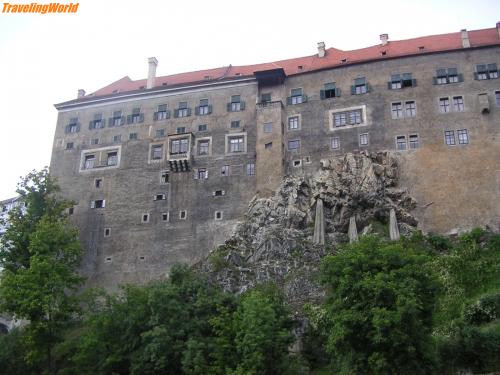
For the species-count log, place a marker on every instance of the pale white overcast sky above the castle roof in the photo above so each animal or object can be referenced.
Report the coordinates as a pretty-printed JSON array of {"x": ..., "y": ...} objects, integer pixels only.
[{"x": 45, "y": 59}]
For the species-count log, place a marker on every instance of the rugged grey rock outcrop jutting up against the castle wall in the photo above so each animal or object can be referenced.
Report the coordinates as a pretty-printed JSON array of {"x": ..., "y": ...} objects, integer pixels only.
[{"x": 280, "y": 238}]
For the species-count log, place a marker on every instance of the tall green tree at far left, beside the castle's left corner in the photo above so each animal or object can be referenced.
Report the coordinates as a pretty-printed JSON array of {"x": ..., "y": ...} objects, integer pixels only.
[{"x": 39, "y": 253}]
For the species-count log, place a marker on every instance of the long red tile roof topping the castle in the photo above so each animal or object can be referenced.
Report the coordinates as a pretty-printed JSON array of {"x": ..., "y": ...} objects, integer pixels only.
[{"x": 334, "y": 57}]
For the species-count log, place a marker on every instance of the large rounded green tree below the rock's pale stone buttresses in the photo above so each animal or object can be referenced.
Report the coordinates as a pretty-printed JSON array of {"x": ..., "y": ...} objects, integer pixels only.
[{"x": 380, "y": 304}]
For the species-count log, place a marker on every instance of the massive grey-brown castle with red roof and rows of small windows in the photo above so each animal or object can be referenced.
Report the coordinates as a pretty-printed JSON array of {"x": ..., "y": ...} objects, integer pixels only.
[{"x": 162, "y": 169}]
